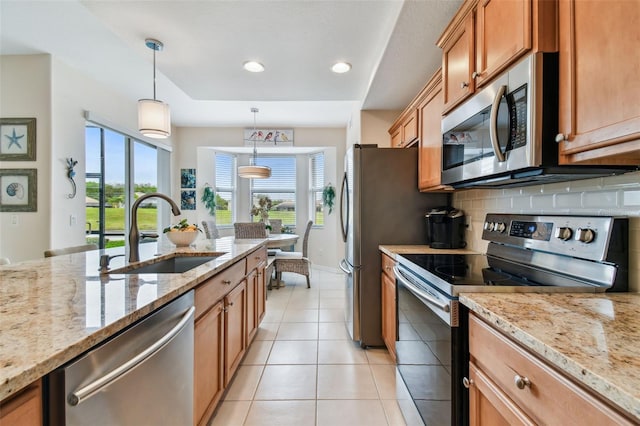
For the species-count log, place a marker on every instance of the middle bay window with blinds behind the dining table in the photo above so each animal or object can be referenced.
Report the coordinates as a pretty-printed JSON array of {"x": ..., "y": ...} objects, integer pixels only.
[{"x": 280, "y": 188}]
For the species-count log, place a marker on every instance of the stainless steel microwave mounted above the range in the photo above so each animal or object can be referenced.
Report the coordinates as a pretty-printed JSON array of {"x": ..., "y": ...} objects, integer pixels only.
[{"x": 504, "y": 135}]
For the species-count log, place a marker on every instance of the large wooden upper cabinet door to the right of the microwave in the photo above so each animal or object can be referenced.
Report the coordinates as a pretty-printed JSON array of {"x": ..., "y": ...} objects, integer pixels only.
[{"x": 599, "y": 84}]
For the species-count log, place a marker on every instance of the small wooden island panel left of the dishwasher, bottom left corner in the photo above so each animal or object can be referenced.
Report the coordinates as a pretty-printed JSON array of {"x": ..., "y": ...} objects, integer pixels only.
[{"x": 24, "y": 408}]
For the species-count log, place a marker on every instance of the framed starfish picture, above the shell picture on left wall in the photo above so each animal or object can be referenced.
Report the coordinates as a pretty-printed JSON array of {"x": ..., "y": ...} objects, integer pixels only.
[{"x": 17, "y": 139}]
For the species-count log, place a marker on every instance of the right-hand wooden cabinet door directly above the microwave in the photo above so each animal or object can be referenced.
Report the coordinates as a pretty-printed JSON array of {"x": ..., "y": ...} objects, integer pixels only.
[{"x": 503, "y": 34}]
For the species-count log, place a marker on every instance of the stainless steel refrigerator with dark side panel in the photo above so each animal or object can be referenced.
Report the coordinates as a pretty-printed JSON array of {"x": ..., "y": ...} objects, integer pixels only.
[{"x": 379, "y": 204}]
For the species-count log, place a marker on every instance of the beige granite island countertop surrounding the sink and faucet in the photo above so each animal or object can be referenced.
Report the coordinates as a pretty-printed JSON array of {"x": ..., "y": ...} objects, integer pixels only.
[{"x": 54, "y": 309}]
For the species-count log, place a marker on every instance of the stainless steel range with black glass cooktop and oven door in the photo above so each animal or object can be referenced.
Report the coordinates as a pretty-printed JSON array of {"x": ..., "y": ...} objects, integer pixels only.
[{"x": 526, "y": 253}]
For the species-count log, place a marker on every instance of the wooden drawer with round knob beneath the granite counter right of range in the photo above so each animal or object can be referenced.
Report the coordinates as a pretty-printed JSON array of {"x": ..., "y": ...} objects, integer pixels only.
[{"x": 549, "y": 397}]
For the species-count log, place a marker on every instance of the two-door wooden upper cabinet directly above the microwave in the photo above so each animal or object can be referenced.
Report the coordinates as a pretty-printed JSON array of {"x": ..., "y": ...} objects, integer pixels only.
[{"x": 487, "y": 36}]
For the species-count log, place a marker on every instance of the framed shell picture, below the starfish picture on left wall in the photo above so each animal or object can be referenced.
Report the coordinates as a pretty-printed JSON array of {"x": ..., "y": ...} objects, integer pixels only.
[{"x": 18, "y": 190}]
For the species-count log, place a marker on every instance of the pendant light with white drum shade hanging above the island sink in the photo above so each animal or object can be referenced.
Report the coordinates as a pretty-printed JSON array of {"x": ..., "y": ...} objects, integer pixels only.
[{"x": 154, "y": 117}]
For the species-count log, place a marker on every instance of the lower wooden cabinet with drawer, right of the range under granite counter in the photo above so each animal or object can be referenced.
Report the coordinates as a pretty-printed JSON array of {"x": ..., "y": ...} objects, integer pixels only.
[{"x": 509, "y": 385}]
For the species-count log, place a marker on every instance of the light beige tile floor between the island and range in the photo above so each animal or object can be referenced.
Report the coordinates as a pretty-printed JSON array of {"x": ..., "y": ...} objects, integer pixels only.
[{"x": 303, "y": 369}]
